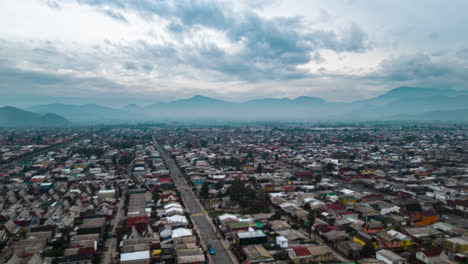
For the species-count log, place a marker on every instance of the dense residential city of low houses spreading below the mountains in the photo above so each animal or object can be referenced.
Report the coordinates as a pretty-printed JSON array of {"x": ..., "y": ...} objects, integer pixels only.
[{"x": 269, "y": 193}]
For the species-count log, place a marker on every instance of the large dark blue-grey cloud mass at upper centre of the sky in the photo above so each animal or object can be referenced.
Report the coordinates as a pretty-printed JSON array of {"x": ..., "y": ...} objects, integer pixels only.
[{"x": 272, "y": 48}]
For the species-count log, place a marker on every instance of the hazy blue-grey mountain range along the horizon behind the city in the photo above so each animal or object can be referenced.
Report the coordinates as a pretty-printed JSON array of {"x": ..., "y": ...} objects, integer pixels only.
[{"x": 404, "y": 103}]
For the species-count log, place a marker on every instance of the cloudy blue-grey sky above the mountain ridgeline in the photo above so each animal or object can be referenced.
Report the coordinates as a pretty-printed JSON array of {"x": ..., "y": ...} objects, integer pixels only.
[{"x": 117, "y": 52}]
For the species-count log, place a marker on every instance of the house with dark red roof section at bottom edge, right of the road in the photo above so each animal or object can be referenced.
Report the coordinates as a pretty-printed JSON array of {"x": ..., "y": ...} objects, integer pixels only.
[{"x": 310, "y": 254}]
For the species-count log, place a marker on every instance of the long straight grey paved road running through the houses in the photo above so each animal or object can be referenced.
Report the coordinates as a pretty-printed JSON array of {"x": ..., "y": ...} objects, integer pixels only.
[{"x": 201, "y": 221}]
